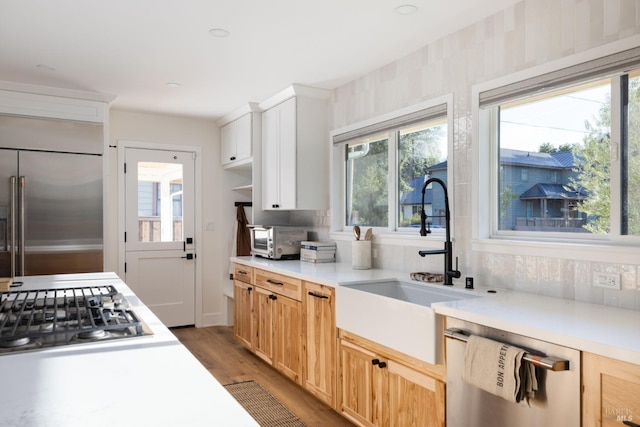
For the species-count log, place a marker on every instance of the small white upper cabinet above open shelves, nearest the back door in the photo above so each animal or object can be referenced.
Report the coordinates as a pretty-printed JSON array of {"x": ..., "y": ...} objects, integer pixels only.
[{"x": 237, "y": 140}]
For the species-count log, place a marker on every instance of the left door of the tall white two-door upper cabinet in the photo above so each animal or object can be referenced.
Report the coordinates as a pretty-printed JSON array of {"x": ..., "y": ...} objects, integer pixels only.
[{"x": 270, "y": 159}]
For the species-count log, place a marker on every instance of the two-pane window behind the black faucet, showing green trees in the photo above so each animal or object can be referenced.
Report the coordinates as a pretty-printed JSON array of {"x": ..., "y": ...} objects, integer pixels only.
[{"x": 384, "y": 168}]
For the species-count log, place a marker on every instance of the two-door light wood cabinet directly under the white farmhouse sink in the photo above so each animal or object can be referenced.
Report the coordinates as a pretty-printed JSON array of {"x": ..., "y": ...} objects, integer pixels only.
[{"x": 377, "y": 390}]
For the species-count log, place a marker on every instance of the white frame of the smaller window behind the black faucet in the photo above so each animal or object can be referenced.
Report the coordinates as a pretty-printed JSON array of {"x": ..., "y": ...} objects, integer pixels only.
[{"x": 339, "y": 226}]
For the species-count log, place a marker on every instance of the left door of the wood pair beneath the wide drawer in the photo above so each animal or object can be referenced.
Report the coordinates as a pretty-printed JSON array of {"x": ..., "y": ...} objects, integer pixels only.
[{"x": 263, "y": 311}]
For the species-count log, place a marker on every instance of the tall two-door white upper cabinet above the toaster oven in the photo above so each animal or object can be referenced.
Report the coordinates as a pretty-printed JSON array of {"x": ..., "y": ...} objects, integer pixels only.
[{"x": 295, "y": 150}]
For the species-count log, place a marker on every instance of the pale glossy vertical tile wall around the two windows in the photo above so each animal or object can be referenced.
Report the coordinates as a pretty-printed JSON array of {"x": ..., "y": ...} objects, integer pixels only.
[{"x": 528, "y": 34}]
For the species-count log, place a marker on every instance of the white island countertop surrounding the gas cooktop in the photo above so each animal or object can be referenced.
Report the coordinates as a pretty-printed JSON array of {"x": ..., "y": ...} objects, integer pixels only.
[{"x": 141, "y": 381}]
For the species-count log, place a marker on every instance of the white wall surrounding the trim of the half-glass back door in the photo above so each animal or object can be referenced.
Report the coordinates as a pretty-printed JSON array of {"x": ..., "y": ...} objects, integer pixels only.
[{"x": 164, "y": 129}]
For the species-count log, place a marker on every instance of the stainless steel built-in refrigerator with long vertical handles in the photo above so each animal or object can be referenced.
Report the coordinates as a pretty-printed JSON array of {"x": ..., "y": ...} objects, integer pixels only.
[{"x": 50, "y": 201}]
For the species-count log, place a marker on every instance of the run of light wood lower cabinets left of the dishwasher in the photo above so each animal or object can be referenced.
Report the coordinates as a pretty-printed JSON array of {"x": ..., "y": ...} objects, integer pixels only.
[{"x": 291, "y": 325}]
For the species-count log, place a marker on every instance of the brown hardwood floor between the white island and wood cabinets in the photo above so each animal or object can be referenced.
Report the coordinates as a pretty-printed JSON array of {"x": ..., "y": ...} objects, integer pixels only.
[{"x": 230, "y": 362}]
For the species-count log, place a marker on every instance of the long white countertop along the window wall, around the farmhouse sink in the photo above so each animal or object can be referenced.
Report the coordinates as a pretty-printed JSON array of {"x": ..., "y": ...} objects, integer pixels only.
[{"x": 607, "y": 331}]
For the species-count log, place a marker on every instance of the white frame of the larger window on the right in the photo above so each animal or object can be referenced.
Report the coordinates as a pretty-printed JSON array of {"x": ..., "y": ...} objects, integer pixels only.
[{"x": 485, "y": 228}]
